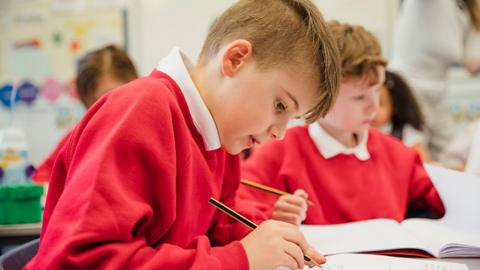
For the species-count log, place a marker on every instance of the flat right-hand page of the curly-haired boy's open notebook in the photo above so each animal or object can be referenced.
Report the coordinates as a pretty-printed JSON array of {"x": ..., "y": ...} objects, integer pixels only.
[{"x": 435, "y": 234}]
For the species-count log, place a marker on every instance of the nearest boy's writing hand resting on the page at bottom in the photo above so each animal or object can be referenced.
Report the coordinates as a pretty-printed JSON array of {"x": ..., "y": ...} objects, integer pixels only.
[{"x": 276, "y": 244}]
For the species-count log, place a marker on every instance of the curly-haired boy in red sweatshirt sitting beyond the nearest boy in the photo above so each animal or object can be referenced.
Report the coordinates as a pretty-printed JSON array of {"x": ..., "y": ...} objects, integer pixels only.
[{"x": 349, "y": 171}]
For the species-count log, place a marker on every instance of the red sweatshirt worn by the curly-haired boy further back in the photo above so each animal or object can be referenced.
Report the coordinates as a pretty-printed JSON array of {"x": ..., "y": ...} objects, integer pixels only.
[{"x": 343, "y": 187}]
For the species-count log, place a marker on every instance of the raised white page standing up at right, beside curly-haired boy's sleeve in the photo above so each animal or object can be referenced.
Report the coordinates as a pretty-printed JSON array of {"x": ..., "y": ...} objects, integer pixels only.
[{"x": 460, "y": 193}]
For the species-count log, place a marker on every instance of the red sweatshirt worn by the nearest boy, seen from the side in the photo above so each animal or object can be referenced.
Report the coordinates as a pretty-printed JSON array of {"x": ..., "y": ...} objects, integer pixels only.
[{"x": 130, "y": 189}]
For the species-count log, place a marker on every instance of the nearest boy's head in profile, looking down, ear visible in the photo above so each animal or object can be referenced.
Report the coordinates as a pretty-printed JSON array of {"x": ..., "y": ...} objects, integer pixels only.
[{"x": 266, "y": 61}]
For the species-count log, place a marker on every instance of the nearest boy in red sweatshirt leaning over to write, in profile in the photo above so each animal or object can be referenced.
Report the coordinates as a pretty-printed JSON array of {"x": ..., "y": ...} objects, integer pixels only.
[{"x": 131, "y": 189}]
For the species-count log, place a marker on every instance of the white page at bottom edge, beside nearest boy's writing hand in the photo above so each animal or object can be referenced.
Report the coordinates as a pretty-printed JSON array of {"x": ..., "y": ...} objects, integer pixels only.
[{"x": 377, "y": 262}]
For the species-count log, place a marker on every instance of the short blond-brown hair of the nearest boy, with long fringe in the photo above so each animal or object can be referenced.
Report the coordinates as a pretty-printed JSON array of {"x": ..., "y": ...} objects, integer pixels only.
[{"x": 282, "y": 33}]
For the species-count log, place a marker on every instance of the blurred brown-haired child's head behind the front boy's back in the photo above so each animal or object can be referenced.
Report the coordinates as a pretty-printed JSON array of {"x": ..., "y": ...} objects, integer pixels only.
[{"x": 102, "y": 70}]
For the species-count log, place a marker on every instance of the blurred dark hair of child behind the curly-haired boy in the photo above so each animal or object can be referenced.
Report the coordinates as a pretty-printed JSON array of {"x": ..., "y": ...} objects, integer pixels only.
[{"x": 405, "y": 107}]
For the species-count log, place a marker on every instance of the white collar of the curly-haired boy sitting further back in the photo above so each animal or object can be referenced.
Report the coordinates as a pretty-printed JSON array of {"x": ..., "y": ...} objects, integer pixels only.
[{"x": 329, "y": 147}]
